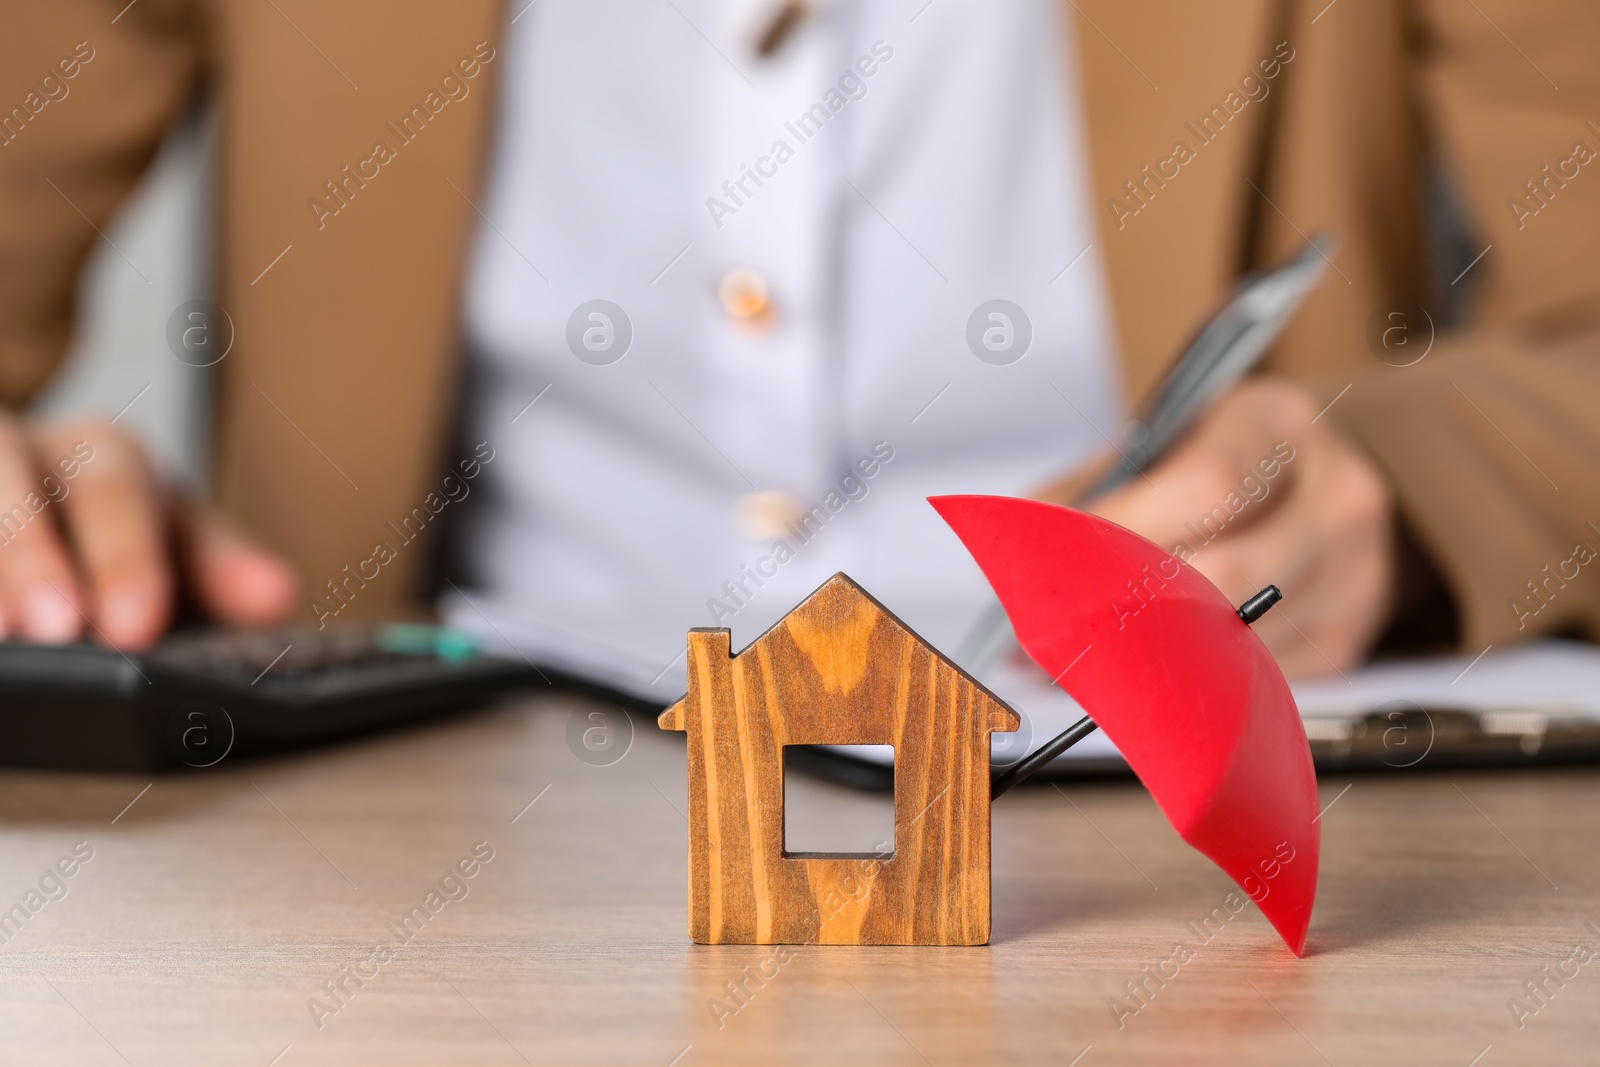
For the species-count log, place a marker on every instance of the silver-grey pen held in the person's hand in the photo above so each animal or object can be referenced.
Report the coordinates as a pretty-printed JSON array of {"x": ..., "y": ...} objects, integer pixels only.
[{"x": 1226, "y": 348}]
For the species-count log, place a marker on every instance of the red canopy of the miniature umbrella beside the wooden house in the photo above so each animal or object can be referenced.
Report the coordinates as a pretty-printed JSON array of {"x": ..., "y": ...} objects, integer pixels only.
[{"x": 1164, "y": 665}]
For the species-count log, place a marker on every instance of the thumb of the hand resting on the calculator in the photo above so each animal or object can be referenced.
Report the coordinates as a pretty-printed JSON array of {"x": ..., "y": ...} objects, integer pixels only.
[{"x": 238, "y": 580}]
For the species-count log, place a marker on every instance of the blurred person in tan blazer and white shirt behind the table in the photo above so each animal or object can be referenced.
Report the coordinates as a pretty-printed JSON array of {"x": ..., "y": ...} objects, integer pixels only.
[{"x": 668, "y": 311}]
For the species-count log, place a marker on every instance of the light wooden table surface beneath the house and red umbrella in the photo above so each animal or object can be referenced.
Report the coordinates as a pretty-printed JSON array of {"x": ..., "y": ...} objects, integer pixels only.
[{"x": 218, "y": 909}]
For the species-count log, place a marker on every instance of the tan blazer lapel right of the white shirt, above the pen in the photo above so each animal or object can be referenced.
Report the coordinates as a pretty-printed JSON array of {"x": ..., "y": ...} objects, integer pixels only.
[{"x": 1150, "y": 74}]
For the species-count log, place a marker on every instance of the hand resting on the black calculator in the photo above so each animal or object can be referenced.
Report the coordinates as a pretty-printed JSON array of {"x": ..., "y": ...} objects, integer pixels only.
[{"x": 94, "y": 543}]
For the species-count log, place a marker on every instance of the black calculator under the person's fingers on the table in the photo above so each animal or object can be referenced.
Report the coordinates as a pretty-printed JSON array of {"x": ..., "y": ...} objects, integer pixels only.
[{"x": 206, "y": 697}]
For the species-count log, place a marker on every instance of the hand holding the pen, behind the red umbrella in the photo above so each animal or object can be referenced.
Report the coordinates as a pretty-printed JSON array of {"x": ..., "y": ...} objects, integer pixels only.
[{"x": 1257, "y": 495}]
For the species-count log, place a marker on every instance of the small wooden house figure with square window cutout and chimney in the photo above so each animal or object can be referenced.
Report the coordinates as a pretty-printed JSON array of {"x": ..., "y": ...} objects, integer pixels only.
[{"x": 839, "y": 669}]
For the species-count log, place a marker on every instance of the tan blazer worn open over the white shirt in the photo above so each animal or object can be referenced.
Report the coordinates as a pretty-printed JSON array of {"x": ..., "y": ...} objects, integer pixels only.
[{"x": 351, "y": 326}]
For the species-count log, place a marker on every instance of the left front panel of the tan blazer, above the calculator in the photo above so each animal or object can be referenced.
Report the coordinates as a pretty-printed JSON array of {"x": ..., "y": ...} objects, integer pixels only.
[{"x": 354, "y": 140}]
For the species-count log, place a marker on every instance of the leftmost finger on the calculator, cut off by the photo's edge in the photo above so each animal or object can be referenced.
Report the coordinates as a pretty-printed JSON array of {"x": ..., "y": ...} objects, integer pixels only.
[{"x": 41, "y": 599}]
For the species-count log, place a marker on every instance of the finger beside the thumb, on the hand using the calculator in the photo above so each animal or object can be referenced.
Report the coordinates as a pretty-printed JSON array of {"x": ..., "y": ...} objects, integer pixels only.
[{"x": 116, "y": 526}]
